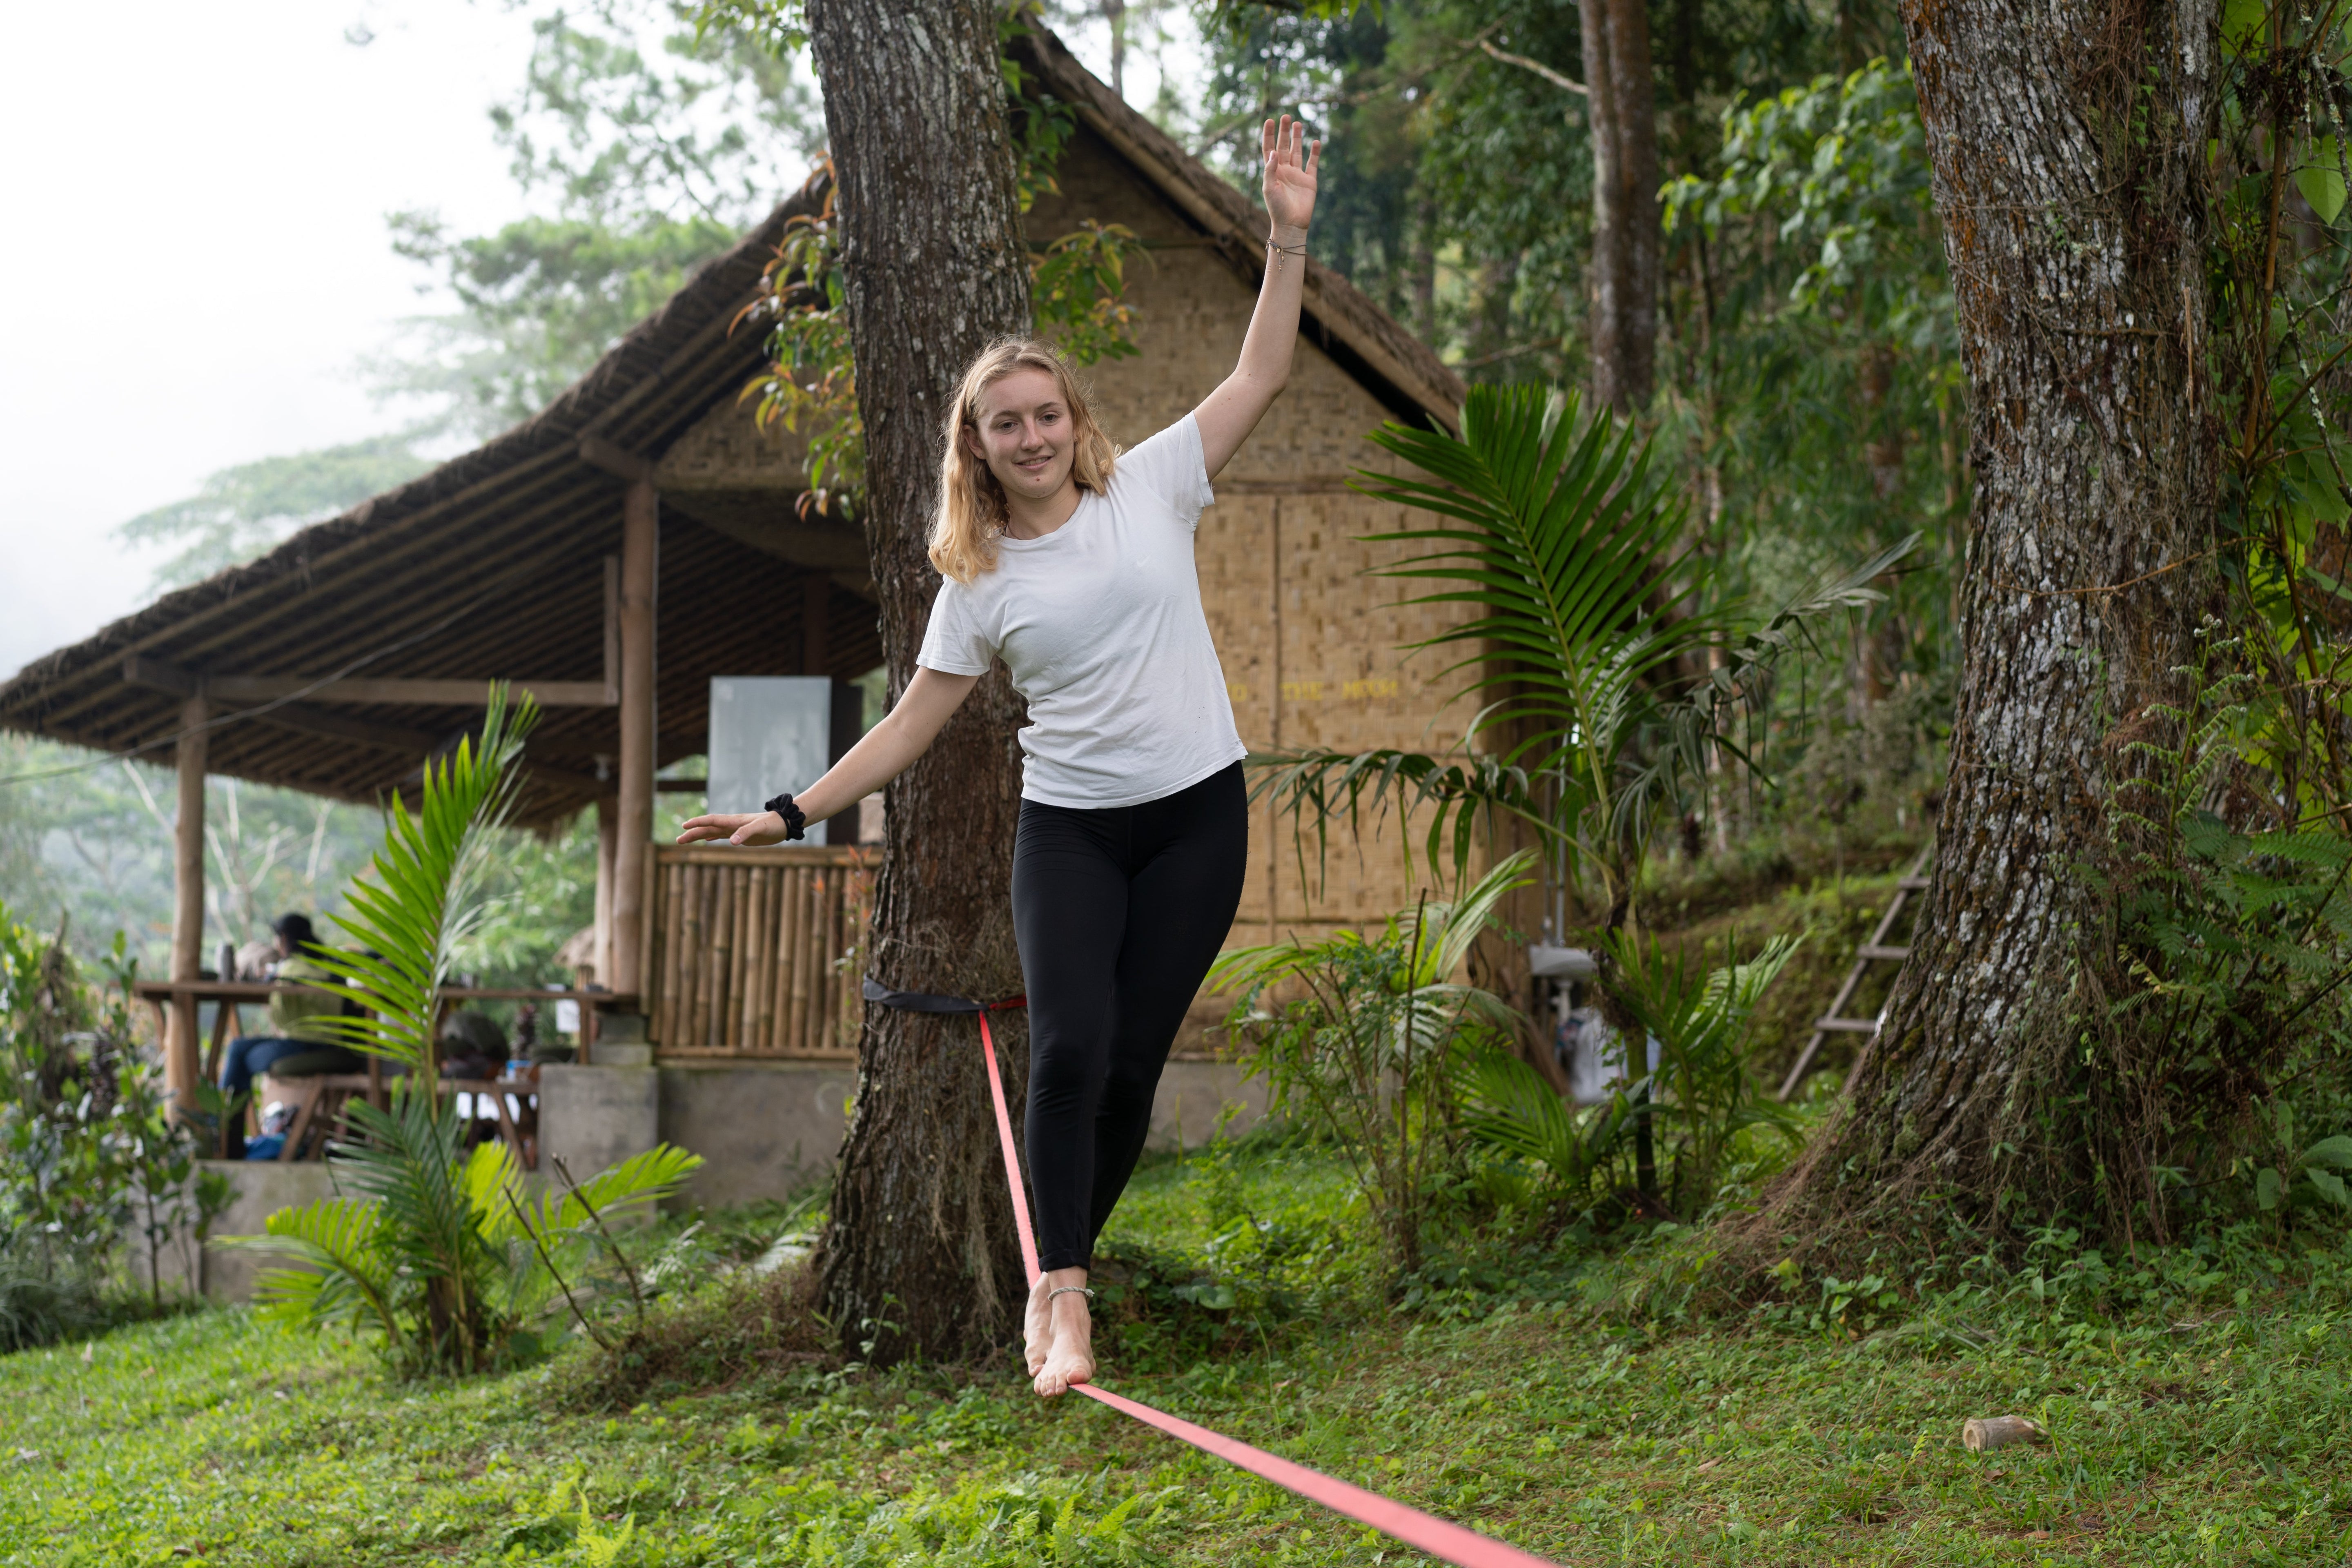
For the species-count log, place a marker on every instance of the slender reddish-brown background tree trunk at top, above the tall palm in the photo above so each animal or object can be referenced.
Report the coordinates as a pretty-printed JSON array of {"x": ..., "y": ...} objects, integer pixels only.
[{"x": 1626, "y": 236}]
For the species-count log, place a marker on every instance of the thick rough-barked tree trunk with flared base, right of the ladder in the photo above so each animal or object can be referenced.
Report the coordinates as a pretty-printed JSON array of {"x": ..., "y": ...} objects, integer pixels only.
[{"x": 2076, "y": 215}]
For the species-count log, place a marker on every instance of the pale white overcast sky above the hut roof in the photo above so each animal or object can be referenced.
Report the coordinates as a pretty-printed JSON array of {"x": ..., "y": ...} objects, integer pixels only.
[{"x": 199, "y": 253}]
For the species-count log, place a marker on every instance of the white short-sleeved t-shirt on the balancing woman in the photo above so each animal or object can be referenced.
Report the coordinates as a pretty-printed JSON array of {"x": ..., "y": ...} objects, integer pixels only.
[{"x": 1102, "y": 629}]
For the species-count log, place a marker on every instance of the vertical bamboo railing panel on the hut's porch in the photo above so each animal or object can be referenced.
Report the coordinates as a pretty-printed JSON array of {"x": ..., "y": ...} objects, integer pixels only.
[{"x": 747, "y": 951}]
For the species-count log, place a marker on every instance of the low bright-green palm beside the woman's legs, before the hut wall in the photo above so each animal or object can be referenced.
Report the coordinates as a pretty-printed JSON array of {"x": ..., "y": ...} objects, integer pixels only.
[{"x": 1365, "y": 1043}]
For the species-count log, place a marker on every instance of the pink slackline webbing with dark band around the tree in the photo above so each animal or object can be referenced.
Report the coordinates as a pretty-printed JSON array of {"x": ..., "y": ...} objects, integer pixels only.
[{"x": 1436, "y": 1536}]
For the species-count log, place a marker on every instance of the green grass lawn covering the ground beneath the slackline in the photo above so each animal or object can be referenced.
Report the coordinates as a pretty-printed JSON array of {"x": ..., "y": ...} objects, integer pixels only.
[{"x": 2200, "y": 1414}]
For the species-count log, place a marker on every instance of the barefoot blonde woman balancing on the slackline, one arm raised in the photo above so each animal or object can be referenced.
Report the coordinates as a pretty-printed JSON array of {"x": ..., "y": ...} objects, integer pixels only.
[{"x": 1074, "y": 565}]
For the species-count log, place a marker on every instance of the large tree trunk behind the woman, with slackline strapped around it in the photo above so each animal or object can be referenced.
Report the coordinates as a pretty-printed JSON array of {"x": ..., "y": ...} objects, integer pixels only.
[{"x": 921, "y": 1252}]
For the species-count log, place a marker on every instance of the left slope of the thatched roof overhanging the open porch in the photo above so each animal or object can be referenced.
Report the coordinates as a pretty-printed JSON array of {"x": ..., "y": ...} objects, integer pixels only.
[{"x": 488, "y": 565}]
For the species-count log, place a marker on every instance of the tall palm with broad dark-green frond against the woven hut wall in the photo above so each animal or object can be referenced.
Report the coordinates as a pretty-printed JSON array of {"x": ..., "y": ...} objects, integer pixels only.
[{"x": 1579, "y": 648}]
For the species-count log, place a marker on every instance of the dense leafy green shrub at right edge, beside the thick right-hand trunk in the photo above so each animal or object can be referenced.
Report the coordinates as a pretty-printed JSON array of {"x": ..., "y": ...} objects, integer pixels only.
[{"x": 2214, "y": 1028}]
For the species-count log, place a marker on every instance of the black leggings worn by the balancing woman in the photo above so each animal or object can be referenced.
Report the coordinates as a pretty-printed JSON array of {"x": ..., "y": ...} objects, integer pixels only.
[{"x": 1118, "y": 916}]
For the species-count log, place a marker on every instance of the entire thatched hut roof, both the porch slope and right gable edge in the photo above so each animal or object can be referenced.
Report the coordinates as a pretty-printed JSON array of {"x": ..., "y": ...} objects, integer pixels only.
[{"x": 493, "y": 565}]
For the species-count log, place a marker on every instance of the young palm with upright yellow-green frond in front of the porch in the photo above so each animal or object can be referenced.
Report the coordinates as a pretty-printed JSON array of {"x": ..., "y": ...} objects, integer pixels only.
[{"x": 439, "y": 1252}]
